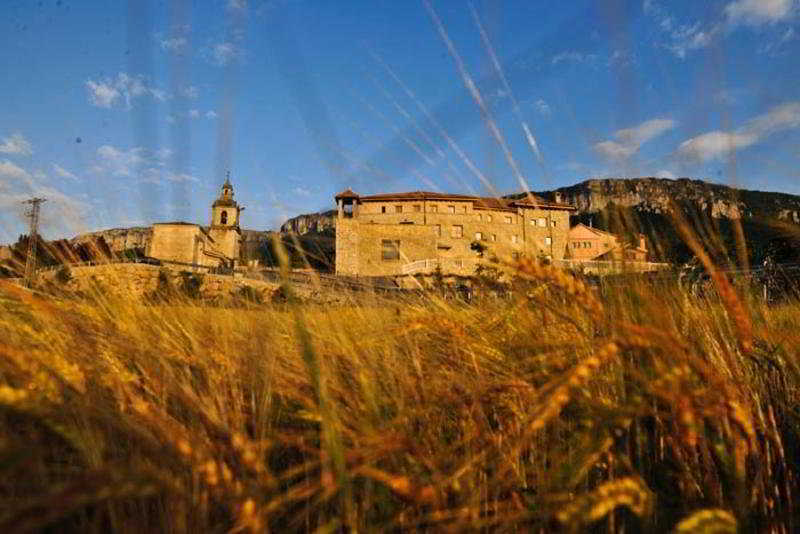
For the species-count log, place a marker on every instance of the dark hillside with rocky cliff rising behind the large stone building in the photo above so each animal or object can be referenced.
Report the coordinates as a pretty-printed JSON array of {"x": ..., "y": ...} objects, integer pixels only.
[{"x": 625, "y": 205}]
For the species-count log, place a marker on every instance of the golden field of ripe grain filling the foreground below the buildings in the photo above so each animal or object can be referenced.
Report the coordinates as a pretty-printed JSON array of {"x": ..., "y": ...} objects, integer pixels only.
[{"x": 639, "y": 409}]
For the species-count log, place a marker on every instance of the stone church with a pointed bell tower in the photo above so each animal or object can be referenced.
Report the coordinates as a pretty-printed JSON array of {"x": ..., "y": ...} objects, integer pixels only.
[{"x": 215, "y": 246}]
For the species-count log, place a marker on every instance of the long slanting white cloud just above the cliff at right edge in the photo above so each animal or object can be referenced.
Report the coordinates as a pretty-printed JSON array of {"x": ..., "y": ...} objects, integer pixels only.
[{"x": 719, "y": 144}]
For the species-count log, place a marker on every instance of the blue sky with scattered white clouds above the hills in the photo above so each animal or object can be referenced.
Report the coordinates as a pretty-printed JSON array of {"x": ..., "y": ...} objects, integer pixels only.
[{"x": 128, "y": 113}]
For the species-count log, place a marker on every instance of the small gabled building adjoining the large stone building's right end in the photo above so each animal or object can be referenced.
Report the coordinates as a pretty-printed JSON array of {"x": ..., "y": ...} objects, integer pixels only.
[{"x": 587, "y": 244}]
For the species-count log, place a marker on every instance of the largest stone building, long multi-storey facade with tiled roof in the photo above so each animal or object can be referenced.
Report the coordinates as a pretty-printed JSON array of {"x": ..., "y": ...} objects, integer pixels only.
[{"x": 416, "y": 232}]
